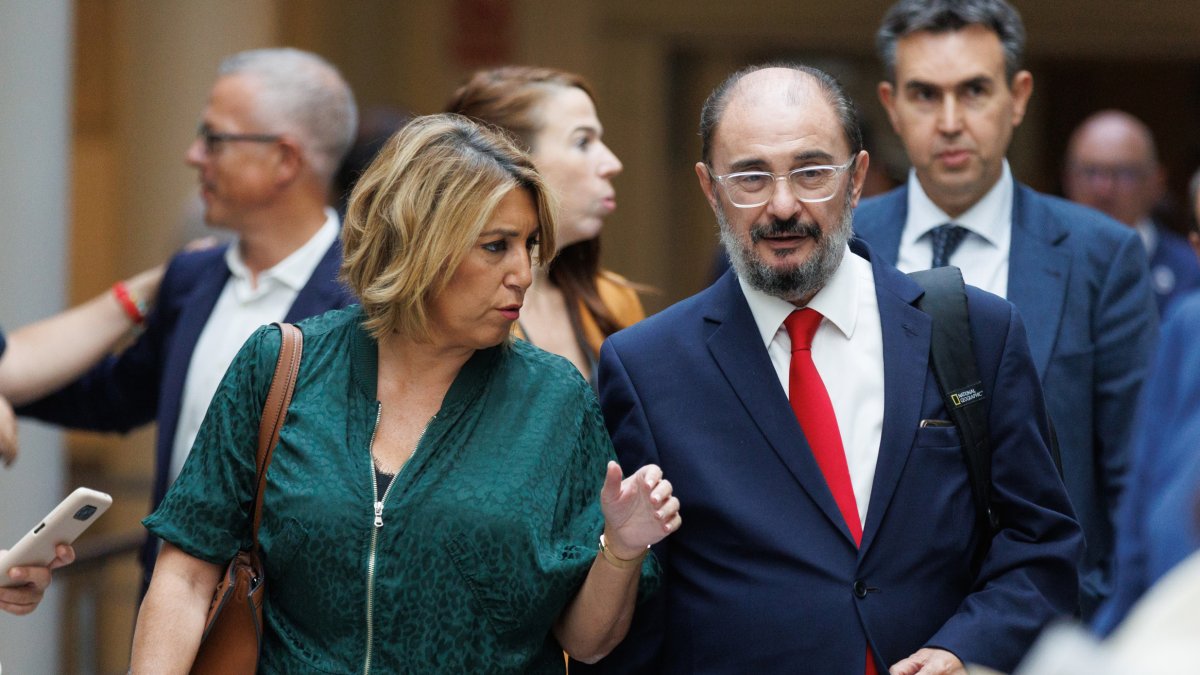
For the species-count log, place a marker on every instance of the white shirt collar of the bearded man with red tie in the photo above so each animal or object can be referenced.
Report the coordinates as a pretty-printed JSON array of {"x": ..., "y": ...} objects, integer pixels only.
[{"x": 838, "y": 302}]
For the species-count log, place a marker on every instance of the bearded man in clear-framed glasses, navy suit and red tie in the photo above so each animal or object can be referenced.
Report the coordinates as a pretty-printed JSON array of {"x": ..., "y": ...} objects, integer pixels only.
[{"x": 831, "y": 525}]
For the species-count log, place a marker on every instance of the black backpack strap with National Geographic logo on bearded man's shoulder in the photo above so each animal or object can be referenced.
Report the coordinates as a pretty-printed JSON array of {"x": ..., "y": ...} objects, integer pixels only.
[{"x": 955, "y": 366}]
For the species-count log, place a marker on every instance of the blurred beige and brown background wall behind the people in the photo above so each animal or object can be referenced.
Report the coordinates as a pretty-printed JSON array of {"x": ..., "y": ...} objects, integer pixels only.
[{"x": 143, "y": 69}]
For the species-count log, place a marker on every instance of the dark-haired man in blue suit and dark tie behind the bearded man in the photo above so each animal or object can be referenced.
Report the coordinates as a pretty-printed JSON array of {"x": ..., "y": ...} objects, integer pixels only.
[{"x": 955, "y": 94}]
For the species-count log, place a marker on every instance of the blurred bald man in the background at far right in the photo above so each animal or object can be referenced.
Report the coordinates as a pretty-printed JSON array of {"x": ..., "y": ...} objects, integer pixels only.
[{"x": 1113, "y": 166}]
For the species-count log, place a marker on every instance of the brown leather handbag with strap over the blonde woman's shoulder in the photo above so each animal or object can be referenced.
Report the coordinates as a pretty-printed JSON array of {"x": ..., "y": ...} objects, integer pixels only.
[{"x": 233, "y": 632}]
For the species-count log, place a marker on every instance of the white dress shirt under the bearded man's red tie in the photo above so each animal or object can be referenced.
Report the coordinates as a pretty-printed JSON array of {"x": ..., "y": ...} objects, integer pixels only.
[{"x": 848, "y": 351}]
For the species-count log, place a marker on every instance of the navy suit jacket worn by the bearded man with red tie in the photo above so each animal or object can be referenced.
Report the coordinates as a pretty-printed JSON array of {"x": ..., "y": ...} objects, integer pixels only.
[{"x": 764, "y": 577}]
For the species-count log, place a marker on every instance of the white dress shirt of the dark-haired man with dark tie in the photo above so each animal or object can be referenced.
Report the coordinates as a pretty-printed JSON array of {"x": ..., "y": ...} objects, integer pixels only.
[{"x": 983, "y": 255}]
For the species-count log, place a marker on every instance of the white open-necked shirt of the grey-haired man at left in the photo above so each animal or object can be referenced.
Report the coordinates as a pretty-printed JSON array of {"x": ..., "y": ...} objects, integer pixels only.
[{"x": 242, "y": 308}]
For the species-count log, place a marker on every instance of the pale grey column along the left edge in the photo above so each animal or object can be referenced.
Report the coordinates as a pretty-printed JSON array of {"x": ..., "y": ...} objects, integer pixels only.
[{"x": 35, "y": 79}]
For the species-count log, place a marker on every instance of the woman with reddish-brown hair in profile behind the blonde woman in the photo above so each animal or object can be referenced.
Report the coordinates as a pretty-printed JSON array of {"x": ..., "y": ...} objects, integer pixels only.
[{"x": 574, "y": 304}]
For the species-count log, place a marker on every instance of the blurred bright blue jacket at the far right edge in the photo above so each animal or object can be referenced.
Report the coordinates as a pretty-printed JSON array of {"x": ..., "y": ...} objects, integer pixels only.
[{"x": 1160, "y": 523}]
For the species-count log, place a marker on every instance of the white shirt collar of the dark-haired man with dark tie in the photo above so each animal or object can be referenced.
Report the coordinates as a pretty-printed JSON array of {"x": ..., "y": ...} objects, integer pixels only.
[{"x": 991, "y": 218}]
